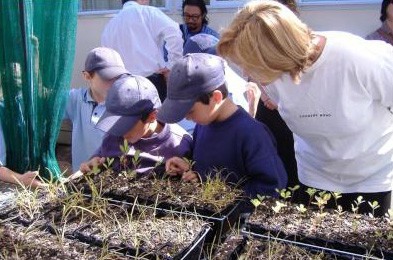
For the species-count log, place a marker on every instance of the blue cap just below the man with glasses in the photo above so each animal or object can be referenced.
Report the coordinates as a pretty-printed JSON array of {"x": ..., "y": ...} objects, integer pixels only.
[{"x": 201, "y": 42}]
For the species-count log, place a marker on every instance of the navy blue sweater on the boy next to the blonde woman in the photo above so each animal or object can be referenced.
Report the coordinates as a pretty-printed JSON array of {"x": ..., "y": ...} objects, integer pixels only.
[{"x": 244, "y": 149}]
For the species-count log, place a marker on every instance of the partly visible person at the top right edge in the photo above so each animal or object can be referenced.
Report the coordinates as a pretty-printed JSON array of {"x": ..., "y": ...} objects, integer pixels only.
[{"x": 385, "y": 32}]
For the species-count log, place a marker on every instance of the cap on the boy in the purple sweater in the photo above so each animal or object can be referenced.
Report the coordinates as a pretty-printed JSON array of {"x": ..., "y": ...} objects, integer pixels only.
[{"x": 129, "y": 98}]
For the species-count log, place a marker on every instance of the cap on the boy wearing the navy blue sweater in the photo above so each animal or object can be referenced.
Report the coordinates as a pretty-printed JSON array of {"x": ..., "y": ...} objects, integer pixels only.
[{"x": 190, "y": 77}]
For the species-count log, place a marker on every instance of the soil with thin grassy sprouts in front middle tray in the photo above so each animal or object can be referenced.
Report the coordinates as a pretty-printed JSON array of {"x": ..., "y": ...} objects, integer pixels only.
[{"x": 123, "y": 226}]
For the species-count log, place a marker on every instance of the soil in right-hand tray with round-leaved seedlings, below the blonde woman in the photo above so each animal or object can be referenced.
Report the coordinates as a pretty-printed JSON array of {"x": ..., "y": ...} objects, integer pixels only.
[{"x": 341, "y": 227}]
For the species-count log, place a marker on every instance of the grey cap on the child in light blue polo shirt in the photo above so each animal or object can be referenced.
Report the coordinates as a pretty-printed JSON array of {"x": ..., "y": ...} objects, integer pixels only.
[{"x": 106, "y": 62}]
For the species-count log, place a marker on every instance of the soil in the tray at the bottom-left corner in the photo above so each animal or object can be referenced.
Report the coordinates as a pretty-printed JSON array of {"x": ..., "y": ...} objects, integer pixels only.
[{"x": 19, "y": 242}]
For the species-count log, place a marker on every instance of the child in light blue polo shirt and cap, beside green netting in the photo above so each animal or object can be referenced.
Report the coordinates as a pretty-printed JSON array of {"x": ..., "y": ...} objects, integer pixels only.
[{"x": 86, "y": 105}]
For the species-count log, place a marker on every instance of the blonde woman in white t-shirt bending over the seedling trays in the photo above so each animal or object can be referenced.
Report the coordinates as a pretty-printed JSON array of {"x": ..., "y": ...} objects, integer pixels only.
[{"x": 333, "y": 89}]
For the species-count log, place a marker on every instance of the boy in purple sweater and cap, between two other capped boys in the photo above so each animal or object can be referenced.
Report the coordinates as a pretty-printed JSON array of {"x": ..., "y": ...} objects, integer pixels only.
[{"x": 131, "y": 114}]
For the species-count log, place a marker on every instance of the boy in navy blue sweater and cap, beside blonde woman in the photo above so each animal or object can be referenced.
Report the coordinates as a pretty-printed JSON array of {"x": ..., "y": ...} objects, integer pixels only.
[{"x": 227, "y": 140}]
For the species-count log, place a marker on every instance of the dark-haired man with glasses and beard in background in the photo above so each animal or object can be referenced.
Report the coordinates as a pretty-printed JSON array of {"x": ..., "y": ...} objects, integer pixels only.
[{"x": 195, "y": 19}]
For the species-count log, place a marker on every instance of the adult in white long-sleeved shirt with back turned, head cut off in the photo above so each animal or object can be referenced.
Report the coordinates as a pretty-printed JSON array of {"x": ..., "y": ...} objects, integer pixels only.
[{"x": 138, "y": 33}]
